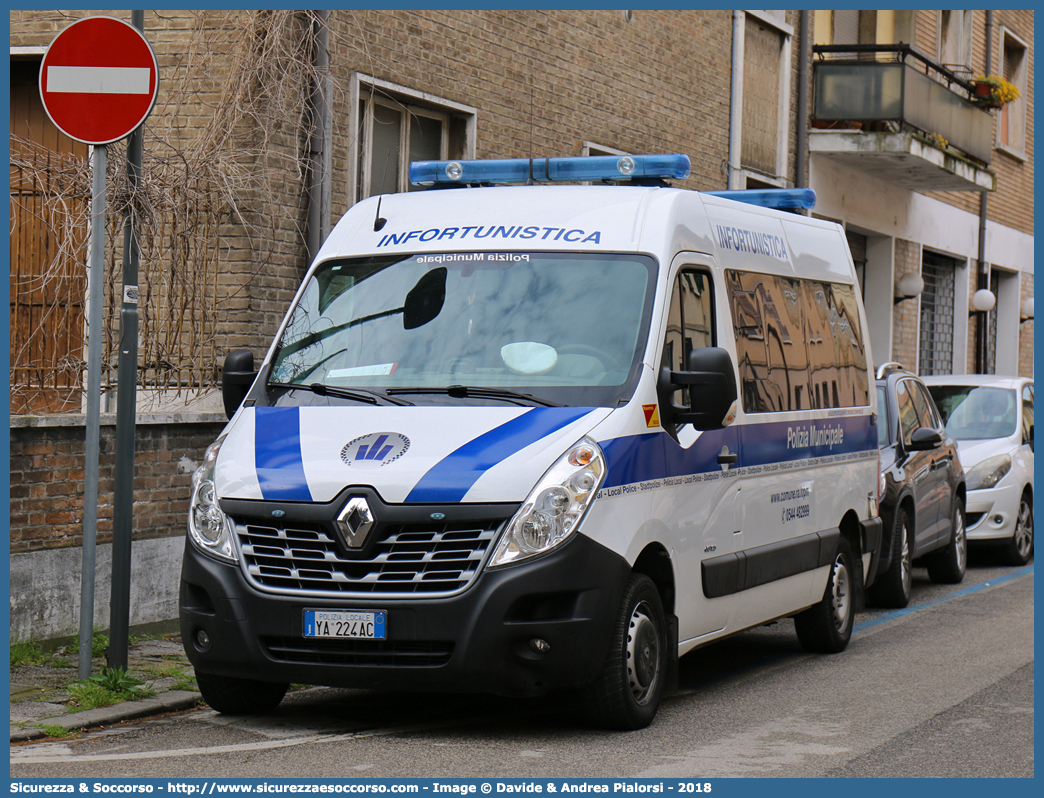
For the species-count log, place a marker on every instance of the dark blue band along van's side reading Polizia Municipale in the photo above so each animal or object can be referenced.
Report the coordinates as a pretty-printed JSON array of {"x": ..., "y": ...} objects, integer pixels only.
[{"x": 656, "y": 456}]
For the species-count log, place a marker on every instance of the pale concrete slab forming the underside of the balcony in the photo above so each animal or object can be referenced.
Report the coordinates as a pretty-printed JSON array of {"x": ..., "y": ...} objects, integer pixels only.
[{"x": 901, "y": 159}]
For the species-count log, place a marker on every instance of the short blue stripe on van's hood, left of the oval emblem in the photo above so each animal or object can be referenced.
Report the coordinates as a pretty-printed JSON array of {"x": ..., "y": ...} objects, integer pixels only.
[{"x": 277, "y": 455}]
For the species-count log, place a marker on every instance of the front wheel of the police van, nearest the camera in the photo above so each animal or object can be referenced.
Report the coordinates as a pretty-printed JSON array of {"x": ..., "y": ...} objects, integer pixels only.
[{"x": 627, "y": 694}]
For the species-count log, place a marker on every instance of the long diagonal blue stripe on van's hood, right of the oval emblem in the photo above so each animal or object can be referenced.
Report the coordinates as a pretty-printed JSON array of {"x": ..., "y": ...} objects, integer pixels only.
[{"x": 453, "y": 478}]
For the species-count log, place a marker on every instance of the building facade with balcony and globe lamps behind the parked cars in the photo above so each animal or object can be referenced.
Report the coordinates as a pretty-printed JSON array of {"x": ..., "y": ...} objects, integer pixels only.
[{"x": 930, "y": 181}]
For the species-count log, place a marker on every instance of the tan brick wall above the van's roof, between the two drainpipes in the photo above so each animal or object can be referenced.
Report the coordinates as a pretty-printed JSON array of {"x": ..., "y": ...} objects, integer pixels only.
[{"x": 544, "y": 82}]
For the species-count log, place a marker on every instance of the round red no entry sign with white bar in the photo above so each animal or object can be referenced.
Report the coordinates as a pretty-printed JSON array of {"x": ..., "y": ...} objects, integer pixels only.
[{"x": 99, "y": 80}]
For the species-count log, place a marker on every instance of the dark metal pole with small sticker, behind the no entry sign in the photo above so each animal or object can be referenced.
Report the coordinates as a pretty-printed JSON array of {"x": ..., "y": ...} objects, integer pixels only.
[{"x": 127, "y": 384}]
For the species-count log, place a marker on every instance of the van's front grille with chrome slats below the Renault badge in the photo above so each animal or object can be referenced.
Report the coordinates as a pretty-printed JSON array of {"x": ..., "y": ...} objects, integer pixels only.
[{"x": 408, "y": 559}]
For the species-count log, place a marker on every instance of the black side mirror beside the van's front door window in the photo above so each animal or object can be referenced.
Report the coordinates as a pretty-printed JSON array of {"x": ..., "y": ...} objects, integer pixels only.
[{"x": 711, "y": 383}]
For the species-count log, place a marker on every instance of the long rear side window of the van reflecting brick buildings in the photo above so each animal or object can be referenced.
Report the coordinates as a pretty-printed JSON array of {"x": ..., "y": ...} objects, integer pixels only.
[{"x": 799, "y": 343}]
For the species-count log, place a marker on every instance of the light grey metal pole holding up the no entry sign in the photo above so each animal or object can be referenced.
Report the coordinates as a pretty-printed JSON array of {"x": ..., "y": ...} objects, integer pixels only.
[{"x": 96, "y": 287}]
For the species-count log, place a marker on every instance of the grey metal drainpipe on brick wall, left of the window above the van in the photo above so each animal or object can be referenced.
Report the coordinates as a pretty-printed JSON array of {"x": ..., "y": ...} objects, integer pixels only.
[{"x": 319, "y": 145}]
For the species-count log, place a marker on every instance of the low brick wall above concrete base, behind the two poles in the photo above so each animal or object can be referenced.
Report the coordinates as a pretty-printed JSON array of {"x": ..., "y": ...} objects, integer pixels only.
[{"x": 48, "y": 478}]
